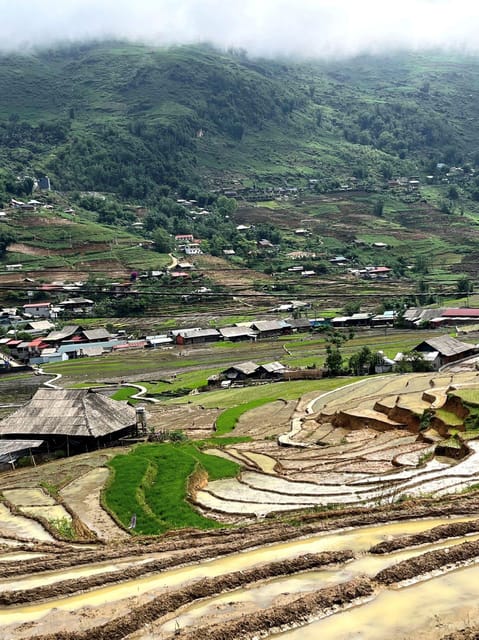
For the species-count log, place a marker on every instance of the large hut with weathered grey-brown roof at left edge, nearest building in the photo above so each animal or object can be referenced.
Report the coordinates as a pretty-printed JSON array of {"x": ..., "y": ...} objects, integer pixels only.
[{"x": 69, "y": 413}]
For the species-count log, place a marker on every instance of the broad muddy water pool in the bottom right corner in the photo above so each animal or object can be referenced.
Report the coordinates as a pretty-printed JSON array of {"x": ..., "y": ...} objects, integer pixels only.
[{"x": 451, "y": 599}]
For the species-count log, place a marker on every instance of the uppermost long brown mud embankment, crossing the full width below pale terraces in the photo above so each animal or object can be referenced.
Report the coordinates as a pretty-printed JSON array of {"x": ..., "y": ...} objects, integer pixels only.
[{"x": 202, "y": 545}]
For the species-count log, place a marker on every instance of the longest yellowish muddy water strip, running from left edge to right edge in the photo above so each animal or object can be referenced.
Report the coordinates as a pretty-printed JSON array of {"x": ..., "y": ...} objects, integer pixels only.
[{"x": 357, "y": 540}]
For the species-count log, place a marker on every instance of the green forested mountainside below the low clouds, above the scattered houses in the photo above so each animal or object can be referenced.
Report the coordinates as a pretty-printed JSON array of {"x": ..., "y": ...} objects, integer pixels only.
[{"x": 137, "y": 121}]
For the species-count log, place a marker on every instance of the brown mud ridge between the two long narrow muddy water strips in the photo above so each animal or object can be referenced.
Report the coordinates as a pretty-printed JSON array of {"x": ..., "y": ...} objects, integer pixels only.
[{"x": 139, "y": 616}]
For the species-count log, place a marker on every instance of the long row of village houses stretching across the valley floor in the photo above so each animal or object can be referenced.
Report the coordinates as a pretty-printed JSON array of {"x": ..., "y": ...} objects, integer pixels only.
[{"x": 47, "y": 344}]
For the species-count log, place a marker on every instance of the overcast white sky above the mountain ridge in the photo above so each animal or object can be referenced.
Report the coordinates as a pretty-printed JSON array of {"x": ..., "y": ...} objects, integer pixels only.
[{"x": 265, "y": 27}]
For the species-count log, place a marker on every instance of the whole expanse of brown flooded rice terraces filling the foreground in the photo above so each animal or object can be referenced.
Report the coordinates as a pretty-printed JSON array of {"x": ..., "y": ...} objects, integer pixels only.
[{"x": 332, "y": 475}]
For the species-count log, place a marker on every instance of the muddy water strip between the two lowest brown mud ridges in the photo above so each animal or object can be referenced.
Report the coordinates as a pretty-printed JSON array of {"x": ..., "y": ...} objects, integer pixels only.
[{"x": 265, "y": 594}]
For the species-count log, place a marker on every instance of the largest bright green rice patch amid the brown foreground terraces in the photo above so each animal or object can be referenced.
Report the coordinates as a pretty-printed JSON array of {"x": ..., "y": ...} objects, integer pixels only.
[{"x": 152, "y": 483}]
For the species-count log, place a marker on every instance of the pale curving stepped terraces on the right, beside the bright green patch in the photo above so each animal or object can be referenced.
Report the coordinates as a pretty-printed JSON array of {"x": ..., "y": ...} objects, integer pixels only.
[{"x": 352, "y": 454}]
